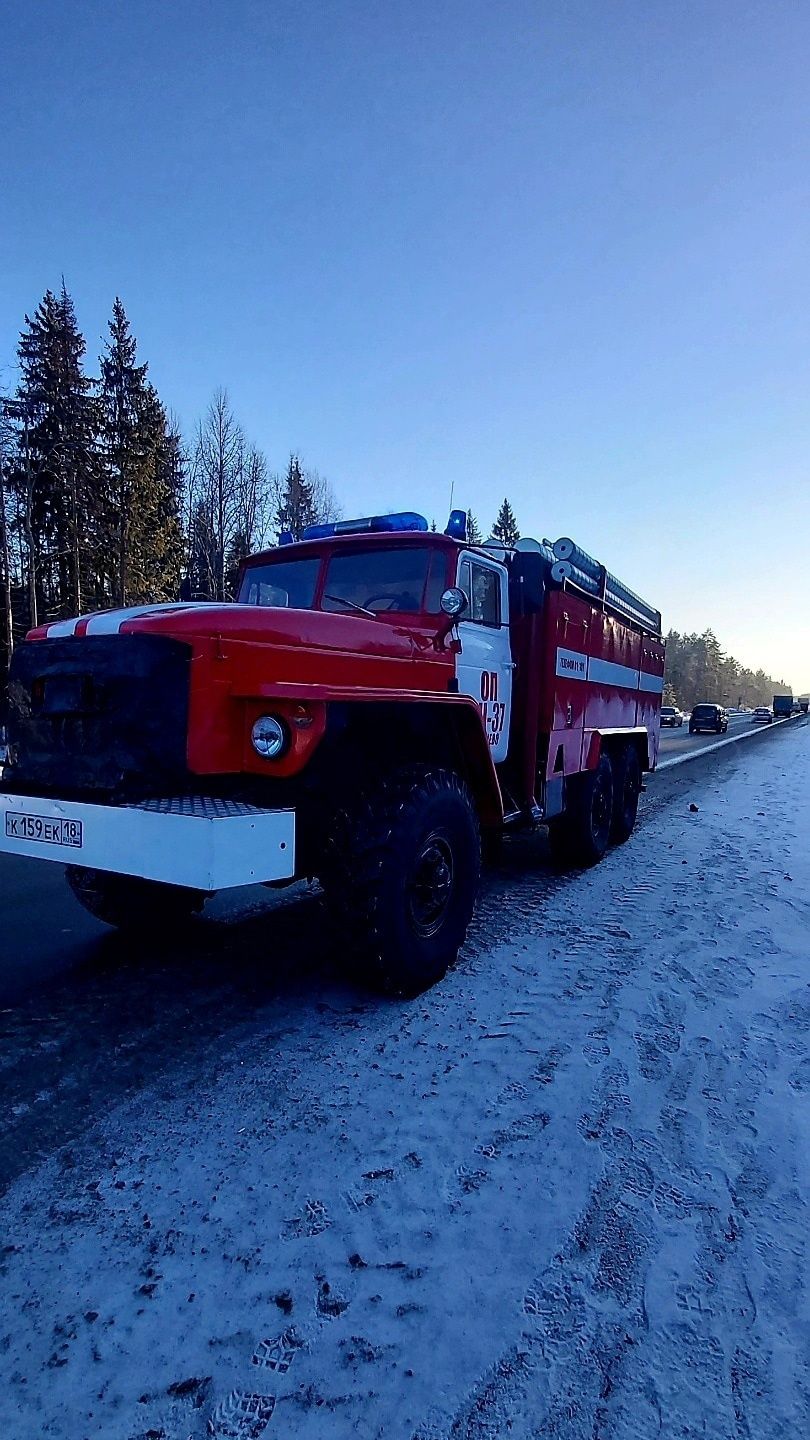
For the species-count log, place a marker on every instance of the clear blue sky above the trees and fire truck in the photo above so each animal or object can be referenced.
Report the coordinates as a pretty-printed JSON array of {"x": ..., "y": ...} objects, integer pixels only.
[{"x": 553, "y": 250}]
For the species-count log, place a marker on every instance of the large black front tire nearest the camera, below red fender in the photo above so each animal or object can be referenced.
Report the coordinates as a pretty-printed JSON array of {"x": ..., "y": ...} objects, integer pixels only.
[{"x": 401, "y": 878}]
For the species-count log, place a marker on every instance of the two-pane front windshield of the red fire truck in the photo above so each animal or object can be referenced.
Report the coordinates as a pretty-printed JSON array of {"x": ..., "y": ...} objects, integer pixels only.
[{"x": 386, "y": 581}]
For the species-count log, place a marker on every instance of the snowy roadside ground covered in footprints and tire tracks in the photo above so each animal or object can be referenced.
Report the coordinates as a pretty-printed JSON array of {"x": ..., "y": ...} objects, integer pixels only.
[{"x": 564, "y": 1194}]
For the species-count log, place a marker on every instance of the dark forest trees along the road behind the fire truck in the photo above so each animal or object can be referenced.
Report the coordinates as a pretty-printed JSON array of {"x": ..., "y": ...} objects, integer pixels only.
[{"x": 104, "y": 502}]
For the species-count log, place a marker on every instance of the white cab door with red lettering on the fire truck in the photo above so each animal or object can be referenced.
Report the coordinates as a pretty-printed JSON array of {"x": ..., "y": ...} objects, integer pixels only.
[{"x": 485, "y": 666}]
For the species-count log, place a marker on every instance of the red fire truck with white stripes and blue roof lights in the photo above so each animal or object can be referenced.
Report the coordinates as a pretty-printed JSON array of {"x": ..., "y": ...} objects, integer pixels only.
[{"x": 378, "y": 706}]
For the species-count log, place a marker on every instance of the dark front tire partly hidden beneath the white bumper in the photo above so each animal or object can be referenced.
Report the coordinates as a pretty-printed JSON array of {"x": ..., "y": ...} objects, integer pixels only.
[{"x": 130, "y": 904}]
